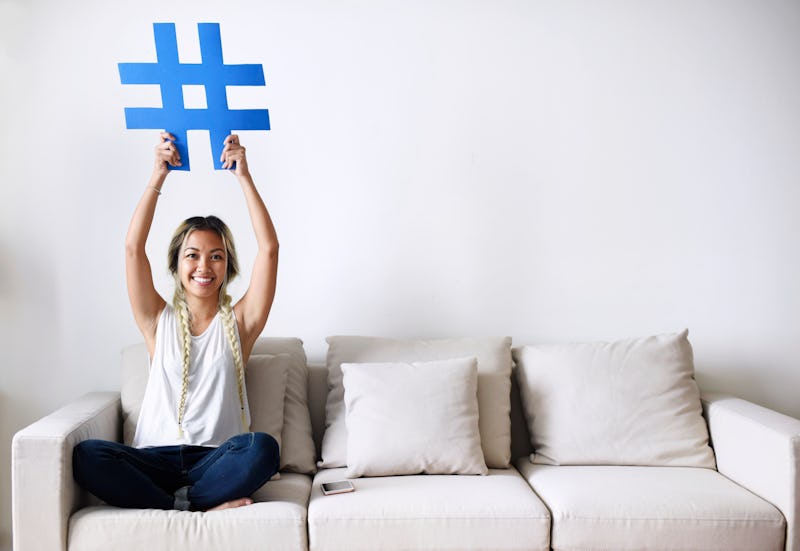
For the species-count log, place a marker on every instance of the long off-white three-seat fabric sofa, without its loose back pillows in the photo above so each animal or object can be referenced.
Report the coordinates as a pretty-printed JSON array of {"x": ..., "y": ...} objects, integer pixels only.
[{"x": 751, "y": 501}]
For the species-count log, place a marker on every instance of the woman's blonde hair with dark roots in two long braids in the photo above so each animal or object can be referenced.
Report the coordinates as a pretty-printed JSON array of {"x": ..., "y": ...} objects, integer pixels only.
[{"x": 184, "y": 316}]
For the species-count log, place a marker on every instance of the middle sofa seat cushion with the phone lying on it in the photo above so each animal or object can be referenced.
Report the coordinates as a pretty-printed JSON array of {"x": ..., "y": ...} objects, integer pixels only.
[{"x": 465, "y": 512}]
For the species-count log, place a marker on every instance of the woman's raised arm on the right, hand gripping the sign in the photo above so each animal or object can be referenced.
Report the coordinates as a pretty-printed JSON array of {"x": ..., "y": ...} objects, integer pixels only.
[{"x": 253, "y": 308}]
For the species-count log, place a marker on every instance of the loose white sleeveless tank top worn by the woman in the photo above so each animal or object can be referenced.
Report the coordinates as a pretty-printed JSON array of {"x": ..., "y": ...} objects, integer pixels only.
[{"x": 213, "y": 413}]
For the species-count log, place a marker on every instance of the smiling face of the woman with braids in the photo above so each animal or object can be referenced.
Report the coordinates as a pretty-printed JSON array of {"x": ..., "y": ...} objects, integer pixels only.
[{"x": 203, "y": 263}]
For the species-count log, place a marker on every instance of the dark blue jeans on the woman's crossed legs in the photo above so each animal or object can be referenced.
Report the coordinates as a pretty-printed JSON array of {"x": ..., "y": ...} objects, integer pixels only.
[{"x": 175, "y": 477}]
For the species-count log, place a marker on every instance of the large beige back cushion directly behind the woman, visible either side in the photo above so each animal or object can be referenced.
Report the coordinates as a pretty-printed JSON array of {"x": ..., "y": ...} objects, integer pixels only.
[{"x": 298, "y": 453}]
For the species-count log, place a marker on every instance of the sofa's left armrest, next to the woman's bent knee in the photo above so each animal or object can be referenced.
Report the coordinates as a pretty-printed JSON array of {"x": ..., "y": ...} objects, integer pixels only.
[{"x": 44, "y": 494}]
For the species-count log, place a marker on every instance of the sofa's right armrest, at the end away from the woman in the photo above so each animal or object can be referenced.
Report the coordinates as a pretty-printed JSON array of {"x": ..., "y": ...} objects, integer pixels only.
[{"x": 759, "y": 449}]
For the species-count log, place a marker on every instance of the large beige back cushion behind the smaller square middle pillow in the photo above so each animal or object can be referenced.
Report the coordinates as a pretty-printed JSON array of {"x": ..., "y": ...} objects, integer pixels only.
[{"x": 494, "y": 386}]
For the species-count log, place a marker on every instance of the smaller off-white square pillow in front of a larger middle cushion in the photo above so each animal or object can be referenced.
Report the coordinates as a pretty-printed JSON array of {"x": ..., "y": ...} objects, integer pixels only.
[{"x": 411, "y": 418}]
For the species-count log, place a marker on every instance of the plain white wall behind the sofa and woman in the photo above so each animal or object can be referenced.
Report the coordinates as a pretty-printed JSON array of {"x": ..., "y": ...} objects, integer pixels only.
[{"x": 548, "y": 170}]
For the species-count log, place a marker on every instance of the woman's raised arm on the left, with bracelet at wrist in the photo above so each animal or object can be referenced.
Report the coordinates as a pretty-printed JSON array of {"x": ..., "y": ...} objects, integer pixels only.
[{"x": 146, "y": 303}]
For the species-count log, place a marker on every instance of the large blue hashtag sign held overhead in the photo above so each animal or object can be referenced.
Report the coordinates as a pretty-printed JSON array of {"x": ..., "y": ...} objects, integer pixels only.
[{"x": 212, "y": 73}]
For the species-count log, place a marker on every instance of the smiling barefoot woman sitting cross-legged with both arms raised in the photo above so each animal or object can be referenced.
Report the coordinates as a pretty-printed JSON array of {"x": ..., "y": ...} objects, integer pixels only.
[{"x": 192, "y": 449}]
